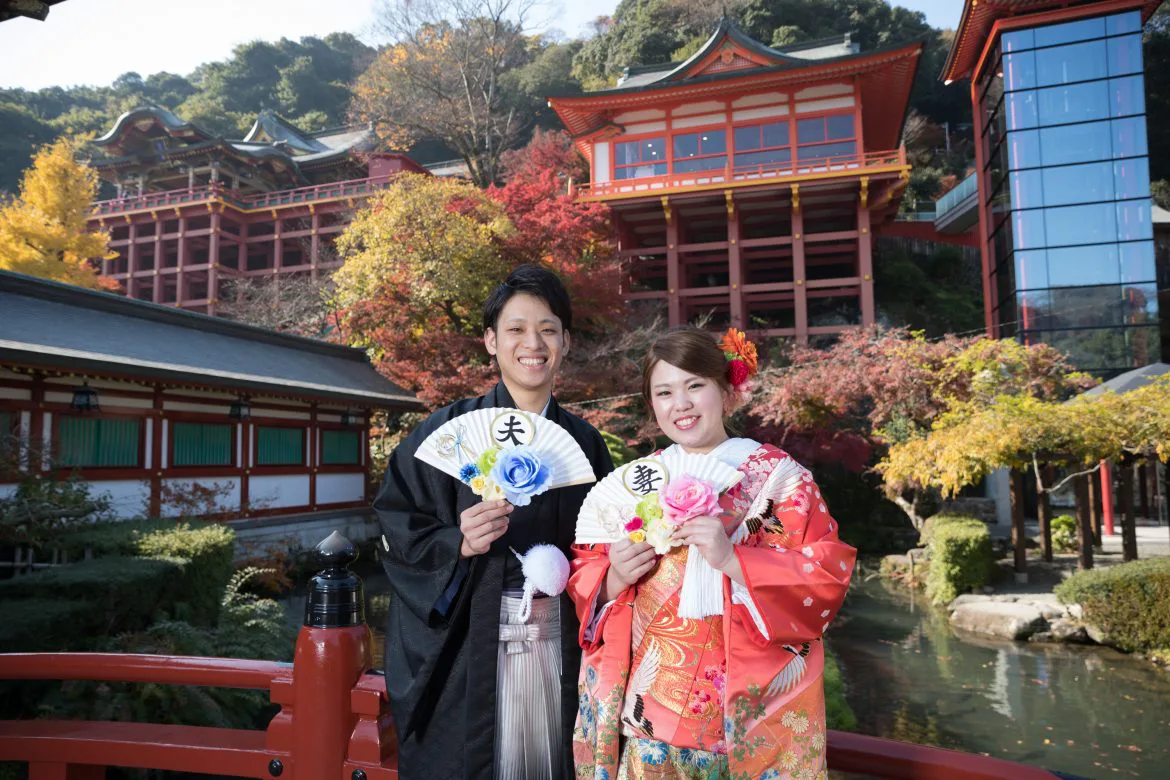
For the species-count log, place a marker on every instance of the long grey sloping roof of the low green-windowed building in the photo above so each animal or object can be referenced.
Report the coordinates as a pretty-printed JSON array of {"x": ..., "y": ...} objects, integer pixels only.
[{"x": 59, "y": 326}]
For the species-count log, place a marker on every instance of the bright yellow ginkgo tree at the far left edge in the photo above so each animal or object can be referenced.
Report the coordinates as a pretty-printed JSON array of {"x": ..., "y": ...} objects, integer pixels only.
[{"x": 44, "y": 230}]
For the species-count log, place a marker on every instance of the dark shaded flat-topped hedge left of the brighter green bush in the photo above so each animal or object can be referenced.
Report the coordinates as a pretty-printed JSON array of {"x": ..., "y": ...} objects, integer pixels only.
[{"x": 126, "y": 593}]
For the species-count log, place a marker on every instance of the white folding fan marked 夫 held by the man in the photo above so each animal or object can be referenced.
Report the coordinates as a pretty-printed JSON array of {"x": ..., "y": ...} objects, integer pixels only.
[{"x": 470, "y": 446}]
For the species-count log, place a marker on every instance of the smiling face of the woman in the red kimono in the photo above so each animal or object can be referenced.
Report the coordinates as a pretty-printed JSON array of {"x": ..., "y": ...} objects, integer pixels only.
[{"x": 689, "y": 409}]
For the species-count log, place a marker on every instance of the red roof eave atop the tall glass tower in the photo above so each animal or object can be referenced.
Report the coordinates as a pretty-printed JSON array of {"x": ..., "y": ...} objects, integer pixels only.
[{"x": 979, "y": 19}]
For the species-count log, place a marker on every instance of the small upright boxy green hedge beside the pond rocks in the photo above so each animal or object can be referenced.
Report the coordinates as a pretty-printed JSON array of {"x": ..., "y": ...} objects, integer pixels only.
[{"x": 961, "y": 556}]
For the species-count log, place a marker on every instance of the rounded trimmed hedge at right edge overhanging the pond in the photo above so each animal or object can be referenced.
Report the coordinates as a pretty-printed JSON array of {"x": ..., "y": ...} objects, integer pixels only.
[{"x": 1130, "y": 603}]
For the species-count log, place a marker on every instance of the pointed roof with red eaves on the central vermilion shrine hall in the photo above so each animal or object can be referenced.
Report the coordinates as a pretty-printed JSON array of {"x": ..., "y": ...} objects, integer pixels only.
[{"x": 731, "y": 63}]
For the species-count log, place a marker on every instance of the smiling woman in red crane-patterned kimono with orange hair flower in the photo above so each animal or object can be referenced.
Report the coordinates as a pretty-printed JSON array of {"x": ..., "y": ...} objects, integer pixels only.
[{"x": 735, "y": 694}]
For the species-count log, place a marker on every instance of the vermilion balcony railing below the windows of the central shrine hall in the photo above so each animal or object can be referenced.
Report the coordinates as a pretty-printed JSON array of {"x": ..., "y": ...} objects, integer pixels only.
[{"x": 746, "y": 175}]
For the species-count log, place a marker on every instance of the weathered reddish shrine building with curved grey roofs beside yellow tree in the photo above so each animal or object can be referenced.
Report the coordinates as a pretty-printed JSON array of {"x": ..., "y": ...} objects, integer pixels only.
[{"x": 194, "y": 211}]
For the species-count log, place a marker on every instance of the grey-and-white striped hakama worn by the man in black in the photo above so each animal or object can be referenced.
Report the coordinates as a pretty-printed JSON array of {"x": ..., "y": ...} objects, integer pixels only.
[{"x": 528, "y": 692}]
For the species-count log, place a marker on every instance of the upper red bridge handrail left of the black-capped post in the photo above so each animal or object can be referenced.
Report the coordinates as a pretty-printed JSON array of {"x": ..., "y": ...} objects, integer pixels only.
[{"x": 171, "y": 671}]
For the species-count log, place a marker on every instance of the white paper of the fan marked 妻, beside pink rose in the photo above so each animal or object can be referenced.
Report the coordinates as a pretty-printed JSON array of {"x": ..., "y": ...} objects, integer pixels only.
[{"x": 611, "y": 502}]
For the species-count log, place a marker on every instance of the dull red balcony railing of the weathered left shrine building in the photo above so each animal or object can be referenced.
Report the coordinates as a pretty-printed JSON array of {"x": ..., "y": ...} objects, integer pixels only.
[{"x": 218, "y": 191}]
